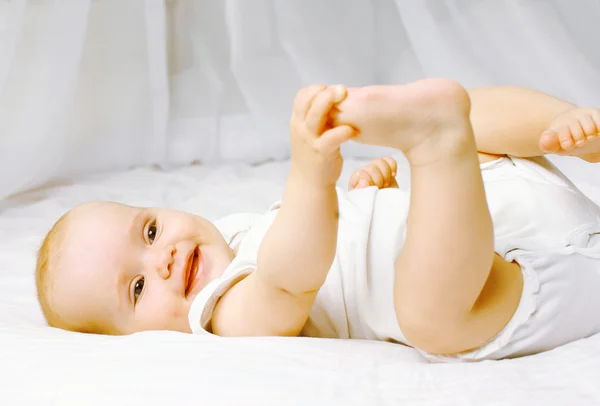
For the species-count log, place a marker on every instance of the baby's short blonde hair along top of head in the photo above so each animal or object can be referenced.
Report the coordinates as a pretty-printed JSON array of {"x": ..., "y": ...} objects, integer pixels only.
[{"x": 48, "y": 260}]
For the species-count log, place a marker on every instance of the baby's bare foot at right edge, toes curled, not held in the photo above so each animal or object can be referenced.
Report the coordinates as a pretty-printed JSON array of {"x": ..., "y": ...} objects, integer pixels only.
[{"x": 574, "y": 132}]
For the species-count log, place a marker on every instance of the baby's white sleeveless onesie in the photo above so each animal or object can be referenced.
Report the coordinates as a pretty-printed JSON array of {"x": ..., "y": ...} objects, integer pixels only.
[{"x": 540, "y": 221}]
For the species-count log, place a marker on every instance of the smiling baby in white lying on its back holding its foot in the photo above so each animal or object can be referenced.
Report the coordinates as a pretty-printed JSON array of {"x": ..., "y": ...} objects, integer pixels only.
[{"x": 492, "y": 254}]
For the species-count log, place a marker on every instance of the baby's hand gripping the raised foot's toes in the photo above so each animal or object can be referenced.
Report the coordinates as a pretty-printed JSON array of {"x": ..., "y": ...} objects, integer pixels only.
[{"x": 315, "y": 144}]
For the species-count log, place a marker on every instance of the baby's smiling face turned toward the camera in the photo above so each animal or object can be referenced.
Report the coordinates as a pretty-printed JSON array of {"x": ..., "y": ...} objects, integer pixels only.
[{"x": 127, "y": 269}]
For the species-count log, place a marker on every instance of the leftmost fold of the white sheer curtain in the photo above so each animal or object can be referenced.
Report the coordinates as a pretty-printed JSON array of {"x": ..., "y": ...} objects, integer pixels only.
[{"x": 43, "y": 54}]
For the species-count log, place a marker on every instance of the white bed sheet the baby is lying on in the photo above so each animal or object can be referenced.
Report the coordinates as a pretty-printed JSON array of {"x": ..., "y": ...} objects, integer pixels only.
[{"x": 40, "y": 365}]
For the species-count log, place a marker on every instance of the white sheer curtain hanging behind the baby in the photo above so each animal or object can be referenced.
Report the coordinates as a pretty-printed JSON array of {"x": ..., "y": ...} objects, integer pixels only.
[{"x": 88, "y": 85}]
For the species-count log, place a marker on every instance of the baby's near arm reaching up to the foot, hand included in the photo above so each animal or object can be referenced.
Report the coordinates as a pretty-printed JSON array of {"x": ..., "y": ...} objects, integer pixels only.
[{"x": 299, "y": 248}]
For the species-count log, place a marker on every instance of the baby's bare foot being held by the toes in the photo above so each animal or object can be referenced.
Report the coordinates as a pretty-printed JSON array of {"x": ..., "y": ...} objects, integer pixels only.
[{"x": 413, "y": 118}]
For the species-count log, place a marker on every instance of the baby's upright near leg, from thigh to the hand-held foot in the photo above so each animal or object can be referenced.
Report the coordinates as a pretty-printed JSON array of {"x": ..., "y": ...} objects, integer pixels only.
[{"x": 448, "y": 255}]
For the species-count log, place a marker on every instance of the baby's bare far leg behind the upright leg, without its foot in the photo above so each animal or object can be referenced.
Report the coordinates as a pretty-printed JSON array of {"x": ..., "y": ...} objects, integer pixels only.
[{"x": 510, "y": 120}]
